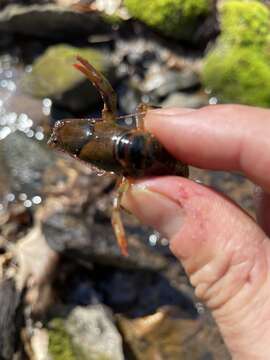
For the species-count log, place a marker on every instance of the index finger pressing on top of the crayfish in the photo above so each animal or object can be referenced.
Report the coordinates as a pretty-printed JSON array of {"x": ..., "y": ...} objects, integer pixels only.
[{"x": 221, "y": 137}]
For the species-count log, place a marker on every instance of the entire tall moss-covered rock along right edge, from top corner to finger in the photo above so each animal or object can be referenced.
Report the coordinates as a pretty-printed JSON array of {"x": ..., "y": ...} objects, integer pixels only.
[{"x": 237, "y": 69}]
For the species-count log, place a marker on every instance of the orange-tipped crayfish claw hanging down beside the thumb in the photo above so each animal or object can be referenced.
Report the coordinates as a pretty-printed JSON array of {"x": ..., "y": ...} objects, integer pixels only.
[{"x": 118, "y": 227}]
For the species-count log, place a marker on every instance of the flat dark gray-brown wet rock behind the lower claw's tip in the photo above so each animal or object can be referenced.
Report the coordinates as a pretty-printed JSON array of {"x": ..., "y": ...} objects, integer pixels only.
[{"x": 92, "y": 240}]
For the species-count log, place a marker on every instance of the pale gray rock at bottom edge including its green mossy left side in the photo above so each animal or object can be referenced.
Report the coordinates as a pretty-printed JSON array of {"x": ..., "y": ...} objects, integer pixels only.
[{"x": 87, "y": 333}]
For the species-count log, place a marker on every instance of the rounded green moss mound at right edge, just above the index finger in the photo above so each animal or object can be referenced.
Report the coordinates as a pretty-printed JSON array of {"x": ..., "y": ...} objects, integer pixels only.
[{"x": 238, "y": 75}]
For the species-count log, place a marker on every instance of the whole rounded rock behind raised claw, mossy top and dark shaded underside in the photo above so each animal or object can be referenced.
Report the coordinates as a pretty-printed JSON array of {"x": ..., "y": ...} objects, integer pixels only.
[{"x": 53, "y": 76}]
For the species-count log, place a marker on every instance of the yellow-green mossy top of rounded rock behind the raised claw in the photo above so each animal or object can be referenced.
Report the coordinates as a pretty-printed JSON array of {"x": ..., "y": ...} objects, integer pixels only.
[{"x": 52, "y": 73}]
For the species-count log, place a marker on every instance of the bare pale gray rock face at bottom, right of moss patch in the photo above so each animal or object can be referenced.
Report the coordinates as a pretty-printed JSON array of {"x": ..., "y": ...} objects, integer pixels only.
[{"x": 93, "y": 332}]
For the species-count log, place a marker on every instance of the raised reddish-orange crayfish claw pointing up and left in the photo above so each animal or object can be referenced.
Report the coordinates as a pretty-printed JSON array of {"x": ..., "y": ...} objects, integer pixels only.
[{"x": 101, "y": 83}]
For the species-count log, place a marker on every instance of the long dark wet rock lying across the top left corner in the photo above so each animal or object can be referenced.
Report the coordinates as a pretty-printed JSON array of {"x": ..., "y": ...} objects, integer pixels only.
[{"x": 51, "y": 21}]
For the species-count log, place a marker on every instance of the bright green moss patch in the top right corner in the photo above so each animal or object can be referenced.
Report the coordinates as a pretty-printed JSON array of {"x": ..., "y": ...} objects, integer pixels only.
[{"x": 245, "y": 22}]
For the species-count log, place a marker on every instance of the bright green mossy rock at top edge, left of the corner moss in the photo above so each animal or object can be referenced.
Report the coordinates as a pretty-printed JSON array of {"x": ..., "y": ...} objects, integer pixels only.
[{"x": 174, "y": 18}]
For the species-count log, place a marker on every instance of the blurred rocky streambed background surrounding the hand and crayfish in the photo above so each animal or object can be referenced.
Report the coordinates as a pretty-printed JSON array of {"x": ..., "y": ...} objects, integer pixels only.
[{"x": 65, "y": 291}]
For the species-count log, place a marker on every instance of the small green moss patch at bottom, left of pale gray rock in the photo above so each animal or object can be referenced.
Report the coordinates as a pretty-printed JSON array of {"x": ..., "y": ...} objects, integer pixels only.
[{"x": 60, "y": 346}]
